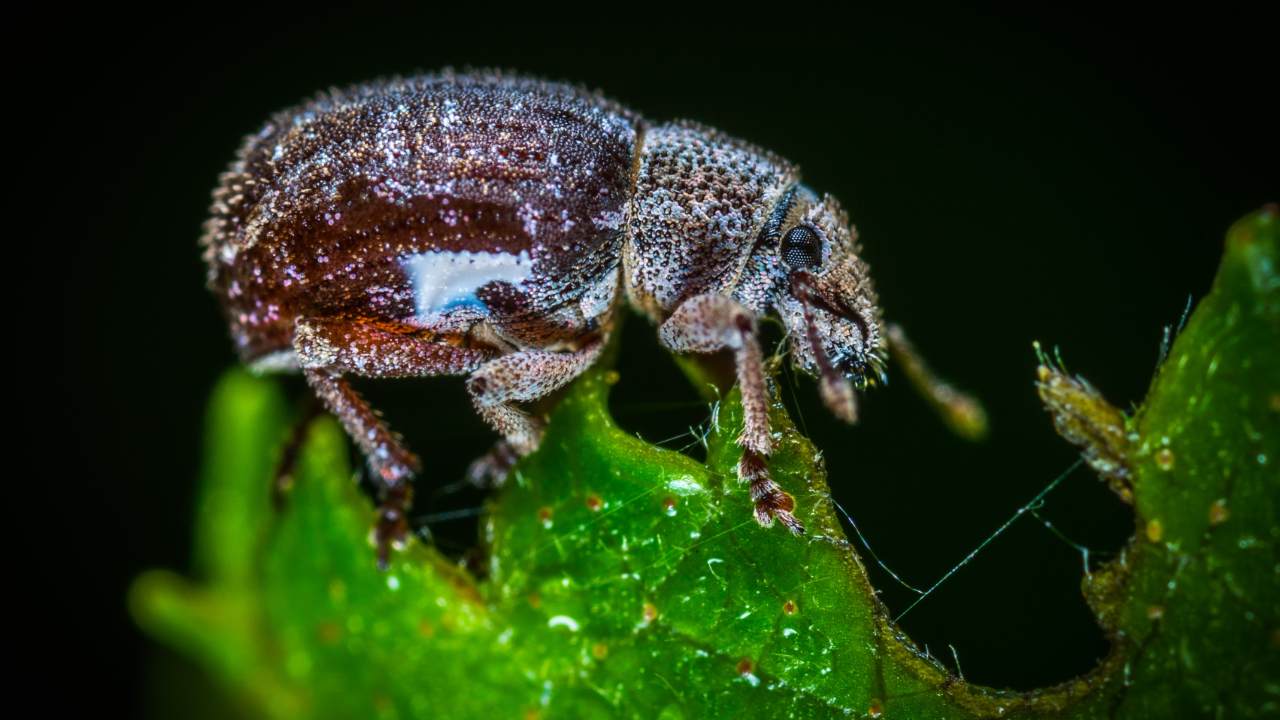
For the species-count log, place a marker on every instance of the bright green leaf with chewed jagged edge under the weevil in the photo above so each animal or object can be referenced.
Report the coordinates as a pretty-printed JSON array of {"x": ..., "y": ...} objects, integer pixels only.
[{"x": 624, "y": 581}]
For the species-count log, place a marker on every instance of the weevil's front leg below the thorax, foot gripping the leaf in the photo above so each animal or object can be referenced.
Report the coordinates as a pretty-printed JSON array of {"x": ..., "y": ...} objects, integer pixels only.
[{"x": 708, "y": 323}]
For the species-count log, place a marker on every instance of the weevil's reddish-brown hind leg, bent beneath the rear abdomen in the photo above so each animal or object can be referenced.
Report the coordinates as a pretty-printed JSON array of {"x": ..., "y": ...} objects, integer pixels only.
[{"x": 331, "y": 348}]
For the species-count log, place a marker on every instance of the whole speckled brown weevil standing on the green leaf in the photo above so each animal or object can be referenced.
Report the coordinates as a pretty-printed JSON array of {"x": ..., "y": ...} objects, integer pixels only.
[{"x": 492, "y": 226}]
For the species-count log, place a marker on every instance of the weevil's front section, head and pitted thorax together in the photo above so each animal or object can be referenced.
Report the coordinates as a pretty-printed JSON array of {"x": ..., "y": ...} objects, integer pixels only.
[{"x": 714, "y": 215}]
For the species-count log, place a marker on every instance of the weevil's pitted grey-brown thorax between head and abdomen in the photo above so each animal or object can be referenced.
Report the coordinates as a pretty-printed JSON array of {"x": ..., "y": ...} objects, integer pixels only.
[{"x": 700, "y": 203}]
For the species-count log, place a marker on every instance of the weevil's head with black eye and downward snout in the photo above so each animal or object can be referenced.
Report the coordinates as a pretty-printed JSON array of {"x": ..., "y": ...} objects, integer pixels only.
[{"x": 826, "y": 299}]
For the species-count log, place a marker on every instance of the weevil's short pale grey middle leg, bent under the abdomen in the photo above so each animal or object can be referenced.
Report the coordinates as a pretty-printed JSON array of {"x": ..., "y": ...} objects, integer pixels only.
[{"x": 522, "y": 377}]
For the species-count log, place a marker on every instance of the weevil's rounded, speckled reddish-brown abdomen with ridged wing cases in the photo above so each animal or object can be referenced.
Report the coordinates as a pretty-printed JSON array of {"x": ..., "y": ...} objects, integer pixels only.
[{"x": 399, "y": 200}]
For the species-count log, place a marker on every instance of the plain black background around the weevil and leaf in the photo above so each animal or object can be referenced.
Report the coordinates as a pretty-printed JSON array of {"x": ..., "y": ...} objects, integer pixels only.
[{"x": 1013, "y": 177}]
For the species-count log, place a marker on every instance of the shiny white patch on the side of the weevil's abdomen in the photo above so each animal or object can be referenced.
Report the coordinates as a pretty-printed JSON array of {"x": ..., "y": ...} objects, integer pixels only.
[{"x": 446, "y": 280}]
